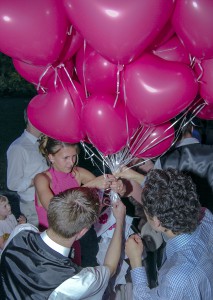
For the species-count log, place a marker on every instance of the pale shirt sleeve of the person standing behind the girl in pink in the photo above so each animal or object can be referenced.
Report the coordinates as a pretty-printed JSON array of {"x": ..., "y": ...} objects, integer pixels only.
[{"x": 16, "y": 161}]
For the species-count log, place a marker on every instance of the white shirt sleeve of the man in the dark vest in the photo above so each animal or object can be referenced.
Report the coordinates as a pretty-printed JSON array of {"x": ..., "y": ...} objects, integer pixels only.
[{"x": 89, "y": 284}]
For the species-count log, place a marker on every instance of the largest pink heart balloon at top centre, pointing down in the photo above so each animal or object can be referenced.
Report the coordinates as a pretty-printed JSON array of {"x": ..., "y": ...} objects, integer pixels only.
[{"x": 119, "y": 30}]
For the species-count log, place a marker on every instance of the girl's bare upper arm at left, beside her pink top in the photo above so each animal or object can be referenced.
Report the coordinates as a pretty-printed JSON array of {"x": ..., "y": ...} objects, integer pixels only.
[{"x": 43, "y": 190}]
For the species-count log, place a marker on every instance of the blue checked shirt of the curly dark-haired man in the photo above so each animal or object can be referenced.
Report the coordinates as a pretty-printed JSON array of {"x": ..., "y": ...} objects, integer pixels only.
[{"x": 187, "y": 273}]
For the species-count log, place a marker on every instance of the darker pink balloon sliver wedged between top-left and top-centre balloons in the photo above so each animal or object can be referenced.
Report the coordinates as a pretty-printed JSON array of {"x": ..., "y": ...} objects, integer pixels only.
[{"x": 73, "y": 43}]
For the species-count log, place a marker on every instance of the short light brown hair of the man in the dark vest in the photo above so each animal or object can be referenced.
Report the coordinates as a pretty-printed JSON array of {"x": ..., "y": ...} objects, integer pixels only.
[{"x": 73, "y": 210}]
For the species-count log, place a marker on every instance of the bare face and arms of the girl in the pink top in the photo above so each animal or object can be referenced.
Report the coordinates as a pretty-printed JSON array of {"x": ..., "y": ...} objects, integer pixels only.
[{"x": 63, "y": 161}]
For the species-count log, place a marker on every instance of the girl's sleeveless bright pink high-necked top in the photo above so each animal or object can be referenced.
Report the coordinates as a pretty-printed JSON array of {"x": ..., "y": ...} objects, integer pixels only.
[{"x": 60, "y": 182}]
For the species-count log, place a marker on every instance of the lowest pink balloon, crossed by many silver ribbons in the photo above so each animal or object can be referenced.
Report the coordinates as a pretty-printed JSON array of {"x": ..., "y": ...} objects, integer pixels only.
[{"x": 150, "y": 142}]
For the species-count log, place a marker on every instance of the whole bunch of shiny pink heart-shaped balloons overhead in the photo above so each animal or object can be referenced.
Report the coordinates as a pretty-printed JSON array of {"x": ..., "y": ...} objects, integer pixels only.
[{"x": 104, "y": 68}]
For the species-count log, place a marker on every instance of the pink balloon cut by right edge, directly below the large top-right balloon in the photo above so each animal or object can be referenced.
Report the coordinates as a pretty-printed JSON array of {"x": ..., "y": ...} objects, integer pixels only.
[{"x": 204, "y": 69}]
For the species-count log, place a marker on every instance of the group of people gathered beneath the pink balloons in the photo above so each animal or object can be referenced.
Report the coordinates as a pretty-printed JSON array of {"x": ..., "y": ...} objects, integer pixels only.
[{"x": 60, "y": 202}]
